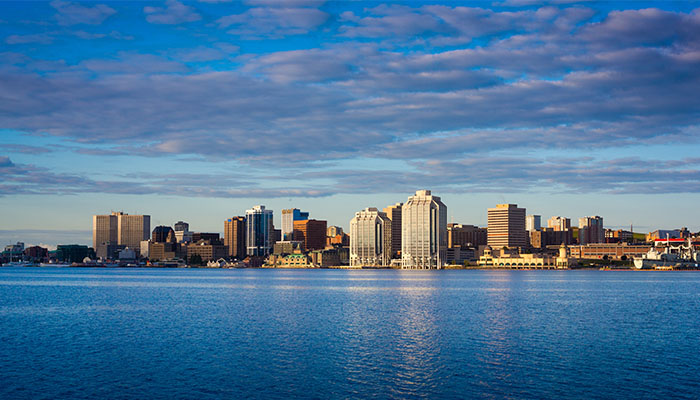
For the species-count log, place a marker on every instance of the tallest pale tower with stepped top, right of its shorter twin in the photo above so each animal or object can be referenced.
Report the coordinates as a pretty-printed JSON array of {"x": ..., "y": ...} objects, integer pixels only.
[{"x": 423, "y": 231}]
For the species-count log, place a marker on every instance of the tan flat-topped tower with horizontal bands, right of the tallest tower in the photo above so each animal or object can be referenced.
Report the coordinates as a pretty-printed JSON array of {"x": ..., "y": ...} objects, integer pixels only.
[{"x": 506, "y": 226}]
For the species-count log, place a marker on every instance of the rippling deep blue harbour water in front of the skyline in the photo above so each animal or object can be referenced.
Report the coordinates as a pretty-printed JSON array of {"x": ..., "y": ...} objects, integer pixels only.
[{"x": 145, "y": 333}]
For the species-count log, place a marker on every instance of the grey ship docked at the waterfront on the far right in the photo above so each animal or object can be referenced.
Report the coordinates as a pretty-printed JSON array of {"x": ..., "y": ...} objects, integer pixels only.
[{"x": 678, "y": 254}]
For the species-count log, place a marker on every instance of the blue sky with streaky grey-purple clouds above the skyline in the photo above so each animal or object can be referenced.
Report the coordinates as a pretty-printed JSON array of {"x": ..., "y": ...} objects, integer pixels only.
[{"x": 197, "y": 111}]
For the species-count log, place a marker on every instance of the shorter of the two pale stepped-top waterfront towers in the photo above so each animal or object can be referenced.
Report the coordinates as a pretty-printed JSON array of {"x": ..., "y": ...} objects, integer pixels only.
[{"x": 370, "y": 238}]
